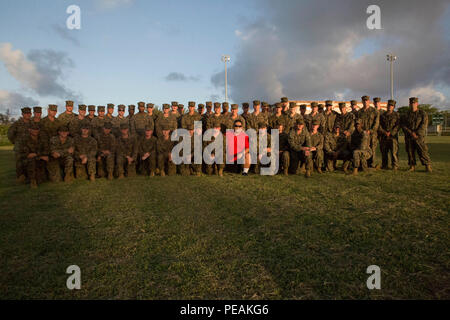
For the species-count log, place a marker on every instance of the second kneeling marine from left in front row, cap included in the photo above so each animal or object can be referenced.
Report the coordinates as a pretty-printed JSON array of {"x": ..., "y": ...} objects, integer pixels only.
[{"x": 61, "y": 156}]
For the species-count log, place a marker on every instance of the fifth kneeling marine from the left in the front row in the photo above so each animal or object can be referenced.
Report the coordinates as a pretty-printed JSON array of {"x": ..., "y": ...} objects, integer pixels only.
[{"x": 126, "y": 153}]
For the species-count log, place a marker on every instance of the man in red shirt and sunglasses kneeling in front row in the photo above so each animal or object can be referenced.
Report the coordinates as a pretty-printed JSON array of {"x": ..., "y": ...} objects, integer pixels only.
[{"x": 238, "y": 147}]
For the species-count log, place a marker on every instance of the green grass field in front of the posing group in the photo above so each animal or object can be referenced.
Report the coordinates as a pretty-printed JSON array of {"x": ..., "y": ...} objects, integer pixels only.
[{"x": 234, "y": 237}]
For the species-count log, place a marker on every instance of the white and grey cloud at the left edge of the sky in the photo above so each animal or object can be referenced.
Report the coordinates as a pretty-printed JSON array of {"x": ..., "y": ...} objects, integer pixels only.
[{"x": 41, "y": 70}]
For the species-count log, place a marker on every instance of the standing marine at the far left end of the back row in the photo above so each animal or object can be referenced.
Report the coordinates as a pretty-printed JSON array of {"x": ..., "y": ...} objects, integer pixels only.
[{"x": 16, "y": 132}]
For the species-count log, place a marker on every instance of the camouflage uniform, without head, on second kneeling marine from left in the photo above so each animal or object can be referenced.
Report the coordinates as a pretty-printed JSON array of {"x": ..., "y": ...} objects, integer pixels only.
[{"x": 64, "y": 161}]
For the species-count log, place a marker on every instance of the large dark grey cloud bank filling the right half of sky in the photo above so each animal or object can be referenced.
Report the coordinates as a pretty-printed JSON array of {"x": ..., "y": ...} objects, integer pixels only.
[{"x": 304, "y": 51}]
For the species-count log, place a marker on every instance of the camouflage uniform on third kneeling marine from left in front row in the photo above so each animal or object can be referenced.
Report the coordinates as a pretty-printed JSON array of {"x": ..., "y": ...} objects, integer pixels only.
[{"x": 88, "y": 147}]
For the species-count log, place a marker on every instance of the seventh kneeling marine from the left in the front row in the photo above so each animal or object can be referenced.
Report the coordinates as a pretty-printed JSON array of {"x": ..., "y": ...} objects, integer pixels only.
[{"x": 164, "y": 146}]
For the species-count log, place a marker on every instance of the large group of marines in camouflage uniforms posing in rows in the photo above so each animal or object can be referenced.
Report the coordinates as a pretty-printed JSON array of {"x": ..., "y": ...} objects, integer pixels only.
[{"x": 98, "y": 145}]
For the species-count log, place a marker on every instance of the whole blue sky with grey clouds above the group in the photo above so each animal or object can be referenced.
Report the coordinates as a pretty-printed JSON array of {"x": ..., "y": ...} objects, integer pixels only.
[{"x": 161, "y": 51}]
